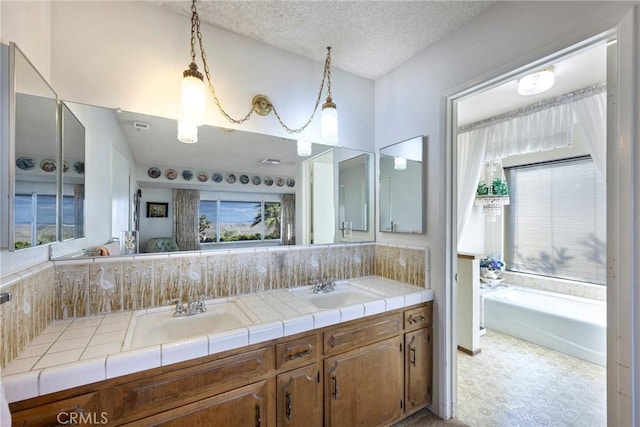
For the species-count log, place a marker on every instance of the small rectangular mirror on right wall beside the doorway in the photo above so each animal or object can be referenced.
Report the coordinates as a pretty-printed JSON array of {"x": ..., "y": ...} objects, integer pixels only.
[{"x": 401, "y": 186}]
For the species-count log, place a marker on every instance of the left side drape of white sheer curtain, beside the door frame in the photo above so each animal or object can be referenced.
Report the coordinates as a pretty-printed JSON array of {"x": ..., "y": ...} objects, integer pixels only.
[{"x": 472, "y": 147}]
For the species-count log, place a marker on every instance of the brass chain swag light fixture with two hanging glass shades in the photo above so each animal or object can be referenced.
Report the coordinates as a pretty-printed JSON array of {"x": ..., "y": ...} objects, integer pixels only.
[{"x": 193, "y": 104}]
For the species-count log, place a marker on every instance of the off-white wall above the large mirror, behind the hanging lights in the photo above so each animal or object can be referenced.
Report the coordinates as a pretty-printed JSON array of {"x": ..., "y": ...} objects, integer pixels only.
[{"x": 133, "y": 55}]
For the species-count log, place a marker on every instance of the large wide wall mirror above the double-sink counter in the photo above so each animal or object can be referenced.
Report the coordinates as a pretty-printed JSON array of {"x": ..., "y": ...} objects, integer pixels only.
[{"x": 246, "y": 182}]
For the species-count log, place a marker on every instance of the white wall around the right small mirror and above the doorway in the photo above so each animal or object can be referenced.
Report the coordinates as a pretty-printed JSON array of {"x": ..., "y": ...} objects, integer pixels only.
[{"x": 410, "y": 100}]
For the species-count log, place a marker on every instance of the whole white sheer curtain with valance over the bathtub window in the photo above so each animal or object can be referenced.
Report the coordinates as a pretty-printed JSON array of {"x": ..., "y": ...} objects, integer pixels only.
[{"x": 543, "y": 126}]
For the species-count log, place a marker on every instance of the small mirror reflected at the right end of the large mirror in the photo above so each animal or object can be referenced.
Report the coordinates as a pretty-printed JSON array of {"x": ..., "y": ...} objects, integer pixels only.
[{"x": 352, "y": 194}]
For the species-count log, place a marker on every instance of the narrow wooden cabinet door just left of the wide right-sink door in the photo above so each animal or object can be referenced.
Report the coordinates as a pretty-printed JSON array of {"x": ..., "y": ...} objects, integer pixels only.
[{"x": 299, "y": 397}]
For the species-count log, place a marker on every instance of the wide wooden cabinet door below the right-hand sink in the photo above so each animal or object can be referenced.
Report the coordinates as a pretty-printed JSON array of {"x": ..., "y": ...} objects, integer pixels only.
[{"x": 364, "y": 387}]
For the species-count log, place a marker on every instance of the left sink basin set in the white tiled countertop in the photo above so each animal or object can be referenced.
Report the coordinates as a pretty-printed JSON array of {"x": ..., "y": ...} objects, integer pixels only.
[{"x": 160, "y": 326}]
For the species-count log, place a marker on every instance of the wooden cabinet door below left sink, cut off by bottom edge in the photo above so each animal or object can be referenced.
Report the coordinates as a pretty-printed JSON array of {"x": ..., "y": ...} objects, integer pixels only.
[{"x": 246, "y": 406}]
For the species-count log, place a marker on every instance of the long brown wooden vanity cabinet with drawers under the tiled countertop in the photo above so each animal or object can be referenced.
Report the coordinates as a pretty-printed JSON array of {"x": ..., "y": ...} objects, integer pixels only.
[{"x": 372, "y": 370}]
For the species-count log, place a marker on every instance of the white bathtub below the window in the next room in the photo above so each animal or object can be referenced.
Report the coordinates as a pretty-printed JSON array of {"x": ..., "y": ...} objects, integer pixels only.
[{"x": 572, "y": 325}]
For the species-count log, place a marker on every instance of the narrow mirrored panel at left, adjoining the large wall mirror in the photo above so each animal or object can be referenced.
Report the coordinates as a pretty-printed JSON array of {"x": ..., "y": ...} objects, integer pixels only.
[{"x": 73, "y": 149}]
